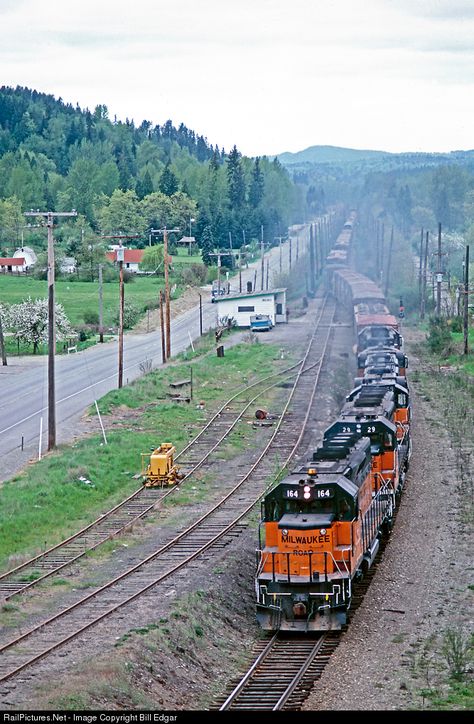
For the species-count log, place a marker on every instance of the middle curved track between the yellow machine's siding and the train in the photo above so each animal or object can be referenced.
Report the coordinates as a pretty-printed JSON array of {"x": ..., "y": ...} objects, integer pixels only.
[{"x": 219, "y": 521}]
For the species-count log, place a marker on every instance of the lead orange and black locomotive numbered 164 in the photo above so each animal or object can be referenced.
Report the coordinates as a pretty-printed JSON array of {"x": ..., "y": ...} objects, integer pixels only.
[{"x": 311, "y": 539}]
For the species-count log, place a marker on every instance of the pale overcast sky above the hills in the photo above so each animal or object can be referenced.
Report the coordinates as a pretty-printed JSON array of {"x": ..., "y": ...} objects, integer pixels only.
[{"x": 266, "y": 75}]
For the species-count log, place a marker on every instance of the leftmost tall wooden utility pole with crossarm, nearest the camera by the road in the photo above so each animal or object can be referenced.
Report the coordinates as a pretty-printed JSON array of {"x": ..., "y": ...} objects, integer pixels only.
[{"x": 51, "y": 321}]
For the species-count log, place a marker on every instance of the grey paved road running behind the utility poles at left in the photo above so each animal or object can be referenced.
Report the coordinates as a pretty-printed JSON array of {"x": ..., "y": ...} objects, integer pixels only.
[{"x": 86, "y": 376}]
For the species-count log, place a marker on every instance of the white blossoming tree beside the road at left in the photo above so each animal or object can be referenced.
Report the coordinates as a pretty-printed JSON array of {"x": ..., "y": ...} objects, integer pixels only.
[{"x": 29, "y": 321}]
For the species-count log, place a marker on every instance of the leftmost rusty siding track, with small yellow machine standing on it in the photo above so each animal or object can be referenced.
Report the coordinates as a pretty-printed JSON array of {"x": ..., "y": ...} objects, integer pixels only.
[{"x": 142, "y": 501}]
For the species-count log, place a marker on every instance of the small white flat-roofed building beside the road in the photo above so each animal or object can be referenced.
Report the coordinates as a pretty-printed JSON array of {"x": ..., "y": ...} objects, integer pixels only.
[{"x": 243, "y": 306}]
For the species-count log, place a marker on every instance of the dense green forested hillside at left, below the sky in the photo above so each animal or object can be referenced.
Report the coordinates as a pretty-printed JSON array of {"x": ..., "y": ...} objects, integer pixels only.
[{"x": 126, "y": 179}]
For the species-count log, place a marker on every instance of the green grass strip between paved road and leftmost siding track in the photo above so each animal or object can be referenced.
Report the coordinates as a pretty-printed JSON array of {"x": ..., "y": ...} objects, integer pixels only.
[{"x": 48, "y": 502}]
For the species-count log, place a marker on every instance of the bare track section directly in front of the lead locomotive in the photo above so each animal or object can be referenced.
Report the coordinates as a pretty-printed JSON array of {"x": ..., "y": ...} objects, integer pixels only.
[{"x": 282, "y": 674}]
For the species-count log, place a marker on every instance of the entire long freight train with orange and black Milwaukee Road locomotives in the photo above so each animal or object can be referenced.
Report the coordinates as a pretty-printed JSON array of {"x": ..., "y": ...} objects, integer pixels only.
[{"x": 321, "y": 526}]
